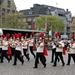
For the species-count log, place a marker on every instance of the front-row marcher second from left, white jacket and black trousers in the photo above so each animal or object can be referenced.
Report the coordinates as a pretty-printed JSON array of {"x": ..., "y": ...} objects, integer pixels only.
[{"x": 18, "y": 52}]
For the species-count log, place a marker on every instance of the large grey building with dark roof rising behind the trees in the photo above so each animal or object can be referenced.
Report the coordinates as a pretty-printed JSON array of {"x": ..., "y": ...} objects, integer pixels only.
[{"x": 38, "y": 9}]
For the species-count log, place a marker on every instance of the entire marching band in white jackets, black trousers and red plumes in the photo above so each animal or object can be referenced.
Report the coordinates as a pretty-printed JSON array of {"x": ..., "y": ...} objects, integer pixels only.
[{"x": 20, "y": 46}]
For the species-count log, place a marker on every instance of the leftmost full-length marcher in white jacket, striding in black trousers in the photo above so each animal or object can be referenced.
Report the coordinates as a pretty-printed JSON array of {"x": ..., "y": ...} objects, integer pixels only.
[{"x": 4, "y": 50}]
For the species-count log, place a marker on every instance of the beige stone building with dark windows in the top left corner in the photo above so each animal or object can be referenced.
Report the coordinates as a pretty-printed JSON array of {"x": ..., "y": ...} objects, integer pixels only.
[{"x": 6, "y": 7}]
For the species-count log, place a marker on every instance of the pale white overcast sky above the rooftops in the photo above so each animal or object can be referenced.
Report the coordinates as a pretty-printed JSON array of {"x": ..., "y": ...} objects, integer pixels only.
[{"x": 65, "y": 4}]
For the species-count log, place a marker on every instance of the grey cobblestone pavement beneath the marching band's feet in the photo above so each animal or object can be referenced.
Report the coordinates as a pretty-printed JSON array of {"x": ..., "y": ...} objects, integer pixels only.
[{"x": 27, "y": 69}]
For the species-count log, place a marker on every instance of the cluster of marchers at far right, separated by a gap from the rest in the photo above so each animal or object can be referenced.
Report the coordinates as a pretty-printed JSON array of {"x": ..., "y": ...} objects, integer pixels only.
[{"x": 61, "y": 47}]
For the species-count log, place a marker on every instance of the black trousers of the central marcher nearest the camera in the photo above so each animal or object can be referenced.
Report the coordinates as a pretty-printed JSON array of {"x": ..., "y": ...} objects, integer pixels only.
[{"x": 42, "y": 59}]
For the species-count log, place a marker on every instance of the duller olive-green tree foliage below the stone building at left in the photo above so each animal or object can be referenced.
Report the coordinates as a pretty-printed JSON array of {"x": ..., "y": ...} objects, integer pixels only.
[{"x": 14, "y": 21}]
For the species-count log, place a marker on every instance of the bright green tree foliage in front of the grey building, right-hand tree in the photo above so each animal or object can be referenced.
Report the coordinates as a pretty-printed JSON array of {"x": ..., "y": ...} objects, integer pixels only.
[{"x": 53, "y": 22}]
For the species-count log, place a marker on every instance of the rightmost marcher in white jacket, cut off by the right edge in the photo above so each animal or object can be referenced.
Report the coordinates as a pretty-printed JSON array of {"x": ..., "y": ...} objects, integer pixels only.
[{"x": 71, "y": 52}]
